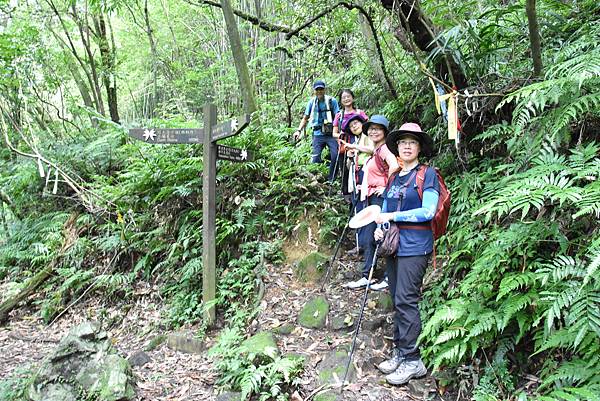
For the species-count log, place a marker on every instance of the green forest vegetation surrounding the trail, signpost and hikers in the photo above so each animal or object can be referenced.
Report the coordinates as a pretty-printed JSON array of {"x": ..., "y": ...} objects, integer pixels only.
[{"x": 87, "y": 210}]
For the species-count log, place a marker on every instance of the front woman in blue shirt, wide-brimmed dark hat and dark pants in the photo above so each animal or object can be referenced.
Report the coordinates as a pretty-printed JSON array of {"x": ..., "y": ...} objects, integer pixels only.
[{"x": 404, "y": 206}]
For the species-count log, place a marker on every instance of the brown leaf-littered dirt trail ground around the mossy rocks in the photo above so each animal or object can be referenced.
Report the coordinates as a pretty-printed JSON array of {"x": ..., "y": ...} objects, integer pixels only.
[{"x": 173, "y": 375}]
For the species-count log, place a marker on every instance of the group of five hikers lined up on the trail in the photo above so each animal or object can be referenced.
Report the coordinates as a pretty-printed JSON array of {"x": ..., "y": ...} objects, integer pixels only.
[{"x": 381, "y": 167}]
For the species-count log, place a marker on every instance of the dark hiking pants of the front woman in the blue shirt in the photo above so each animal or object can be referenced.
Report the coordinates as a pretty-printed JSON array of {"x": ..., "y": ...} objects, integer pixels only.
[{"x": 405, "y": 278}]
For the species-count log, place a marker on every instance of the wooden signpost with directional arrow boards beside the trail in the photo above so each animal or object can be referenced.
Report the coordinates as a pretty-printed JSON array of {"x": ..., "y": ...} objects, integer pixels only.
[{"x": 208, "y": 137}]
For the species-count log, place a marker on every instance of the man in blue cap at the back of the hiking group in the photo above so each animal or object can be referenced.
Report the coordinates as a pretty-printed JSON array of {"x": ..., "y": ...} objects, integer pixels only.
[{"x": 318, "y": 115}]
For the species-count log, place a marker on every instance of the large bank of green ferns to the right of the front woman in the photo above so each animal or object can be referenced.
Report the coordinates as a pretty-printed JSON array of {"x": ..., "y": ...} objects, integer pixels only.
[{"x": 522, "y": 283}]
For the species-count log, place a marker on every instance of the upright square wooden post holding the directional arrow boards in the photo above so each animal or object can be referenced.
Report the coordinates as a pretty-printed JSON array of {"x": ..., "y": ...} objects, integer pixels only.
[{"x": 209, "y": 252}]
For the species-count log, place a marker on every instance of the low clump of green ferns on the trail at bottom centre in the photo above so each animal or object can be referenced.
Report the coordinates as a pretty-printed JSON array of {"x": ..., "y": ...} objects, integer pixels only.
[{"x": 267, "y": 375}]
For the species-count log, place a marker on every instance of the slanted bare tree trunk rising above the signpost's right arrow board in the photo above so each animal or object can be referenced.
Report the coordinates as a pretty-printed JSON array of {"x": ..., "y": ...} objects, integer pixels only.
[{"x": 239, "y": 58}]
